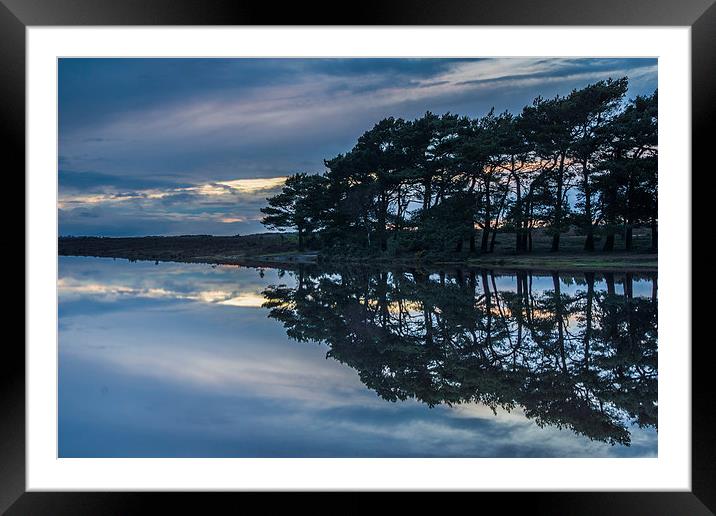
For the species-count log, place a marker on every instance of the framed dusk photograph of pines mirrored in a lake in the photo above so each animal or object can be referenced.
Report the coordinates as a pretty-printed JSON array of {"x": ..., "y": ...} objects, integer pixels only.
[{"x": 356, "y": 257}]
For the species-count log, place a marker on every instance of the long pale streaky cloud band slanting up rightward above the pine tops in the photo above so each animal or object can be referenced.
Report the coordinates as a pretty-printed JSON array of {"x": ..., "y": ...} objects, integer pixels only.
[{"x": 271, "y": 113}]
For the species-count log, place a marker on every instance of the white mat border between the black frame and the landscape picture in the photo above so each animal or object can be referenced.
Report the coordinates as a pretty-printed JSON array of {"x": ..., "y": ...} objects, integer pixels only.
[{"x": 672, "y": 468}]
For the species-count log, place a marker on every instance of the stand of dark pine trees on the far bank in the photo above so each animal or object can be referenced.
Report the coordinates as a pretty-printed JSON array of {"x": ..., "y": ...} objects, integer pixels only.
[{"x": 450, "y": 183}]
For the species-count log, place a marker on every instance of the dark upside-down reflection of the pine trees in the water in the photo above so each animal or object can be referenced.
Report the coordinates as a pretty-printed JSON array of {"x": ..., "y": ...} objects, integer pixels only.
[{"x": 585, "y": 360}]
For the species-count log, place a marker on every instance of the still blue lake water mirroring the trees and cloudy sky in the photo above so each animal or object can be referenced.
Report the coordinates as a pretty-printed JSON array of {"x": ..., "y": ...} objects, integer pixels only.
[{"x": 190, "y": 360}]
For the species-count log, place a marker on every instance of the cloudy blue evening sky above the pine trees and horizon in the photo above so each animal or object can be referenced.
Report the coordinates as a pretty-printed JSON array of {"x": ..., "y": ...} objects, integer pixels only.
[{"x": 194, "y": 146}]
